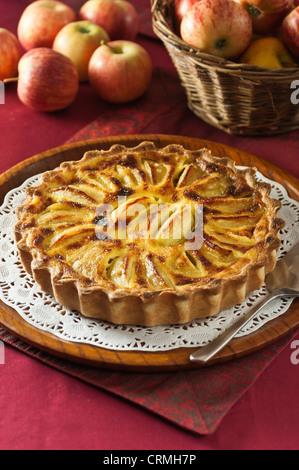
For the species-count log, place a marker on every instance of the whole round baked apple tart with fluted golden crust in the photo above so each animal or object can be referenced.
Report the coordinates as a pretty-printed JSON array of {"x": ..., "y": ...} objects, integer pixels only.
[{"x": 149, "y": 236}]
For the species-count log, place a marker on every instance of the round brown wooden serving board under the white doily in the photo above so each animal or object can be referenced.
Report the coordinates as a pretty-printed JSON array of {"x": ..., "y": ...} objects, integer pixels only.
[{"x": 176, "y": 359}]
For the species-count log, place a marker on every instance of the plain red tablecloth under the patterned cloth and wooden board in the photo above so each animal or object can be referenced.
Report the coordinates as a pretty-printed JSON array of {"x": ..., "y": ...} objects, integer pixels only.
[{"x": 44, "y": 408}]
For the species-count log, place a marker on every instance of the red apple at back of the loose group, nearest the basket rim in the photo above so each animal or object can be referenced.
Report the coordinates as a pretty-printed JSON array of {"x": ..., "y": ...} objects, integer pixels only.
[{"x": 118, "y": 17}]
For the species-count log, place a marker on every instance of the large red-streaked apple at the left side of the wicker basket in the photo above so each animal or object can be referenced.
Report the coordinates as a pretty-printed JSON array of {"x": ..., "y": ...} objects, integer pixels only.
[{"x": 220, "y": 27}]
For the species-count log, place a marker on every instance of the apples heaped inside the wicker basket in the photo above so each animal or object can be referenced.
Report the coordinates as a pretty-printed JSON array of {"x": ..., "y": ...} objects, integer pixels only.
[{"x": 264, "y": 33}]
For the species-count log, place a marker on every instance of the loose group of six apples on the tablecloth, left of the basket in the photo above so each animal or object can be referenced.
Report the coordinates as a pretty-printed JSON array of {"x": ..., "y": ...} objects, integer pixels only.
[{"x": 55, "y": 50}]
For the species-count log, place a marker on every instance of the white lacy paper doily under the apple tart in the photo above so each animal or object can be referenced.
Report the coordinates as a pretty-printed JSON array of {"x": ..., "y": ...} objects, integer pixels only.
[{"x": 19, "y": 291}]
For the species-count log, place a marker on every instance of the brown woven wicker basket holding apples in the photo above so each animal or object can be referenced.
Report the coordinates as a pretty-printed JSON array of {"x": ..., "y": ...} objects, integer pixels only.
[{"x": 239, "y": 99}]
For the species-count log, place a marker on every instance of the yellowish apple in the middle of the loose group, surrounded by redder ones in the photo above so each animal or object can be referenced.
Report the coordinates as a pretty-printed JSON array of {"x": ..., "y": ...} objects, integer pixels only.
[{"x": 78, "y": 41}]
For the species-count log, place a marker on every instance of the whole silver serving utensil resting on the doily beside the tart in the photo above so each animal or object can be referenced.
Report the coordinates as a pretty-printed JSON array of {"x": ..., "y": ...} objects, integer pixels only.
[{"x": 282, "y": 282}]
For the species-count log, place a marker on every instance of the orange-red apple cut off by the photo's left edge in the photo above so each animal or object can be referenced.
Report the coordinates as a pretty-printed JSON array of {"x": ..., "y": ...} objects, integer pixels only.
[{"x": 9, "y": 54}]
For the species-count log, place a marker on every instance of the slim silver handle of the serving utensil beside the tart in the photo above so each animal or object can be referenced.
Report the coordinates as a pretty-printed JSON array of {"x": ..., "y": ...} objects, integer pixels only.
[{"x": 207, "y": 352}]
